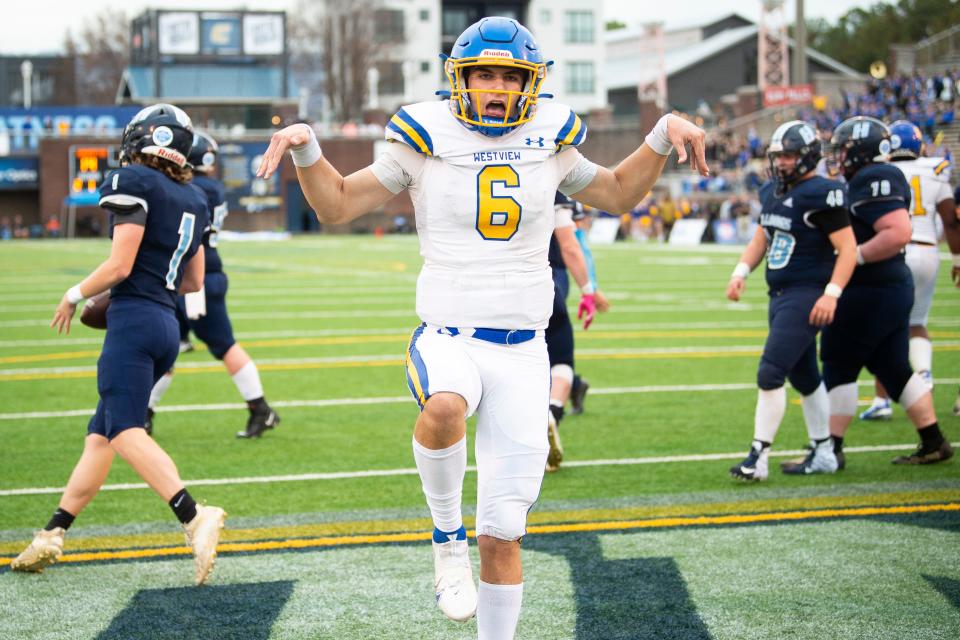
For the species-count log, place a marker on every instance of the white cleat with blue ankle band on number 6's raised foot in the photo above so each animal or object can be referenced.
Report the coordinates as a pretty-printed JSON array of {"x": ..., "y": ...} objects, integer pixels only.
[{"x": 453, "y": 577}]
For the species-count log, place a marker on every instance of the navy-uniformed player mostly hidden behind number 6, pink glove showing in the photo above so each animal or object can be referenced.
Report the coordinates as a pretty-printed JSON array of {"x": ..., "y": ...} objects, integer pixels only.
[{"x": 567, "y": 252}]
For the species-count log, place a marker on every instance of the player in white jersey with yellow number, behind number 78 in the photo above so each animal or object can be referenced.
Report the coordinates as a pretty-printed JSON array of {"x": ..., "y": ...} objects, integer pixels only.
[{"x": 929, "y": 180}]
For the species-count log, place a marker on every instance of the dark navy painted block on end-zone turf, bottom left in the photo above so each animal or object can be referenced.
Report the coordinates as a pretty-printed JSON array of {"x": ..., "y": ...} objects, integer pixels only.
[{"x": 241, "y": 611}]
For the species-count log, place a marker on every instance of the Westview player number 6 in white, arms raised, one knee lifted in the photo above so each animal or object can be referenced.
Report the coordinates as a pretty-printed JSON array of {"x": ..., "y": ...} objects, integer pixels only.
[{"x": 482, "y": 168}]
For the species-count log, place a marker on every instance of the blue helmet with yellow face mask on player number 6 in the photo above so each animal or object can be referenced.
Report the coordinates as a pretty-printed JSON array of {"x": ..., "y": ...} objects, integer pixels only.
[{"x": 499, "y": 42}]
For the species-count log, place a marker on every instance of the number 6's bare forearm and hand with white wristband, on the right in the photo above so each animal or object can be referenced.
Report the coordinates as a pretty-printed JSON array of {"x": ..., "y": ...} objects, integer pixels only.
[{"x": 620, "y": 189}]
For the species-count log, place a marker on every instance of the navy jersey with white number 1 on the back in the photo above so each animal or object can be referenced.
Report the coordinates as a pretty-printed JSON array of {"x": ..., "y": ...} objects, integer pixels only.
[{"x": 176, "y": 215}]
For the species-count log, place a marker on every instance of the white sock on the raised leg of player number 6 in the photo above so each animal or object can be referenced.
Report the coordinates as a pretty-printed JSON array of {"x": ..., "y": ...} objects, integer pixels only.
[{"x": 441, "y": 474}]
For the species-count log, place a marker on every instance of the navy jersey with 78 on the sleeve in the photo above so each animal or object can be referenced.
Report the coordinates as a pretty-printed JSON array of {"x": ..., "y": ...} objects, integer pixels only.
[{"x": 873, "y": 192}]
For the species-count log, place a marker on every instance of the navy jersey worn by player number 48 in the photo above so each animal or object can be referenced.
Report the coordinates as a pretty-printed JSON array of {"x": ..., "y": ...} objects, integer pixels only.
[{"x": 798, "y": 252}]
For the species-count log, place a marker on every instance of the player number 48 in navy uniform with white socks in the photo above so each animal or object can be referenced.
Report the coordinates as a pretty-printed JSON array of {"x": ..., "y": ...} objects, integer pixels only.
[{"x": 803, "y": 222}]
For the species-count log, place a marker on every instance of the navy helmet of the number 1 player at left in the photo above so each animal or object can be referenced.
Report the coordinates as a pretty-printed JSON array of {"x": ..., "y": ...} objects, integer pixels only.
[{"x": 161, "y": 130}]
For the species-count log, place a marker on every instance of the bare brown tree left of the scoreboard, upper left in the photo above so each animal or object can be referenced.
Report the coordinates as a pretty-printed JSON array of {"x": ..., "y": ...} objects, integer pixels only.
[{"x": 101, "y": 52}]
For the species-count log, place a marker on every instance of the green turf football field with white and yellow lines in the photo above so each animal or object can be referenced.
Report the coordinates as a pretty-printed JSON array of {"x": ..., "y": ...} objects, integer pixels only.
[{"x": 641, "y": 534}]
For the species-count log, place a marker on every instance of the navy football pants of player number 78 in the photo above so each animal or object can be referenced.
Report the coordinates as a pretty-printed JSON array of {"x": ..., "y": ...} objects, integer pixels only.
[{"x": 871, "y": 329}]
